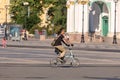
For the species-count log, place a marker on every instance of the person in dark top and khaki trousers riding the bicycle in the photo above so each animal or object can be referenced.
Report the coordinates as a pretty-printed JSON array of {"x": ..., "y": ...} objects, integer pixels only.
[{"x": 61, "y": 38}]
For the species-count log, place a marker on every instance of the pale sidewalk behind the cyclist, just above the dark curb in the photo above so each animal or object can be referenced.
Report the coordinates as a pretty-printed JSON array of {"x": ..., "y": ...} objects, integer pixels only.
[{"x": 34, "y": 43}]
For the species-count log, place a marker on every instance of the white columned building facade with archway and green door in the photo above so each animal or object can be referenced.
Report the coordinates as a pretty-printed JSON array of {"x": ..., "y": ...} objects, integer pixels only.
[{"x": 99, "y": 17}]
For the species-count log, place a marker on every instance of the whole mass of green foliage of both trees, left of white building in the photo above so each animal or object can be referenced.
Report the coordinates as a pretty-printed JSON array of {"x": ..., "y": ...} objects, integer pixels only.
[{"x": 57, "y": 12}]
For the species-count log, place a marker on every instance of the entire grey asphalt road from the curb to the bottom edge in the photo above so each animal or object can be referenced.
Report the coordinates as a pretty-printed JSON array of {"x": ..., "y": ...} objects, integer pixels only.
[{"x": 33, "y": 64}]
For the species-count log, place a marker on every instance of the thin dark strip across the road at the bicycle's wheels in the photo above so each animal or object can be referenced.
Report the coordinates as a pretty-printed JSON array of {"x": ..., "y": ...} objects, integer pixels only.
[{"x": 62, "y": 66}]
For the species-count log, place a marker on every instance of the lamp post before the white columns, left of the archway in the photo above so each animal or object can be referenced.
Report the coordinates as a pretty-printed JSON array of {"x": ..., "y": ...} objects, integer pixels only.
[{"x": 83, "y": 2}]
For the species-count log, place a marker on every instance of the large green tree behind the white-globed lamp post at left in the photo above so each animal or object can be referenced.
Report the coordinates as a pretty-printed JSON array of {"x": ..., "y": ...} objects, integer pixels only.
[{"x": 20, "y": 12}]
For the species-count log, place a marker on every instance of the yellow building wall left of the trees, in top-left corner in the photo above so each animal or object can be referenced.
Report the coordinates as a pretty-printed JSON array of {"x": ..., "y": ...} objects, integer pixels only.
[{"x": 4, "y": 11}]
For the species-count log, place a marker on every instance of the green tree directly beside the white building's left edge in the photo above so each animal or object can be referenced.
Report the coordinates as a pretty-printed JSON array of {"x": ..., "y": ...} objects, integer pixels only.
[{"x": 57, "y": 13}]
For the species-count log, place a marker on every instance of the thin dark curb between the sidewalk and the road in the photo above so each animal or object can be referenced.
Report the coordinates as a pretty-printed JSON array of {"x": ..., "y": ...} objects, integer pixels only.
[{"x": 88, "y": 48}]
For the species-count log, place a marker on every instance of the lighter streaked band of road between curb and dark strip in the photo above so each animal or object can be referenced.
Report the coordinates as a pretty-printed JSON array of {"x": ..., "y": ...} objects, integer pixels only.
[{"x": 42, "y": 56}]
